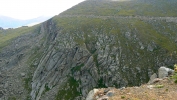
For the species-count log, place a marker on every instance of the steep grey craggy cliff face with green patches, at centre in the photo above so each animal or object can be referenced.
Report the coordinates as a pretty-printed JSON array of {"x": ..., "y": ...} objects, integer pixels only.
[{"x": 89, "y": 58}]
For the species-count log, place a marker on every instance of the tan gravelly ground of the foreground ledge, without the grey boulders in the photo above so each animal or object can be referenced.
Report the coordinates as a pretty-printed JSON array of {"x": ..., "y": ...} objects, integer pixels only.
[{"x": 166, "y": 89}]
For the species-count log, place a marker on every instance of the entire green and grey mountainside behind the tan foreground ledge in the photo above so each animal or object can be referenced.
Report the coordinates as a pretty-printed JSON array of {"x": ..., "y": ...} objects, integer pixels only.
[{"x": 95, "y": 44}]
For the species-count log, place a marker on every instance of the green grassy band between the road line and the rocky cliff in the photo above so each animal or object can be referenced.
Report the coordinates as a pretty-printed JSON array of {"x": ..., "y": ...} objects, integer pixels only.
[{"x": 162, "y": 34}]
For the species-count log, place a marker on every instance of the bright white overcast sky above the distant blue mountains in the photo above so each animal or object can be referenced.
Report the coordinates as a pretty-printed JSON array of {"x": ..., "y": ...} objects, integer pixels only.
[{"x": 28, "y": 9}]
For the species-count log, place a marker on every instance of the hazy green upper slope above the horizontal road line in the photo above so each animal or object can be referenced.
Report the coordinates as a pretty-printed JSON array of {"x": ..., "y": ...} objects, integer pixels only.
[{"x": 124, "y": 8}]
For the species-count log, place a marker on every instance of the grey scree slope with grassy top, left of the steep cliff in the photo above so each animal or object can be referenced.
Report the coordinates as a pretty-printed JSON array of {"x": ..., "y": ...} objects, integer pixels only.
[{"x": 14, "y": 65}]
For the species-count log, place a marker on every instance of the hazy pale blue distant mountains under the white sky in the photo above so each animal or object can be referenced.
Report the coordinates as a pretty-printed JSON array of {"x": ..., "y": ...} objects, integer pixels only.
[{"x": 7, "y": 22}]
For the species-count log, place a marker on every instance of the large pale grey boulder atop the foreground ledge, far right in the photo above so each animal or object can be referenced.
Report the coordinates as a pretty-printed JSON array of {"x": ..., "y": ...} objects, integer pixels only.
[{"x": 164, "y": 72}]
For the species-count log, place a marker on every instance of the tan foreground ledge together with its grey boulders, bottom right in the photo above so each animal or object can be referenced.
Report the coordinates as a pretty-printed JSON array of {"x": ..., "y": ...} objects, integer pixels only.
[{"x": 156, "y": 89}]
